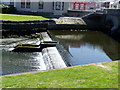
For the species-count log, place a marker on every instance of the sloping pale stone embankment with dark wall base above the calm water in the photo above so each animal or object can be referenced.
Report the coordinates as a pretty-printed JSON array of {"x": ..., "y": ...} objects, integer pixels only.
[{"x": 74, "y": 23}]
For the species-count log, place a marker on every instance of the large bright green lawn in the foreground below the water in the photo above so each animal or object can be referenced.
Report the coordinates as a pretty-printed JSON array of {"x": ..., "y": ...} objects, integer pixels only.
[{"x": 87, "y": 76}]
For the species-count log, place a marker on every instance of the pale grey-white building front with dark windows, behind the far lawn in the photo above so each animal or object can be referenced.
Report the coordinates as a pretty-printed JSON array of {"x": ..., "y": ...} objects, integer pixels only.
[{"x": 56, "y": 7}]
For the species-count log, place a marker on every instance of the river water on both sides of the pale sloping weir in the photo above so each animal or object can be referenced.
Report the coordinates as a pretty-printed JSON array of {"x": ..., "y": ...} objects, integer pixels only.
[{"x": 76, "y": 48}]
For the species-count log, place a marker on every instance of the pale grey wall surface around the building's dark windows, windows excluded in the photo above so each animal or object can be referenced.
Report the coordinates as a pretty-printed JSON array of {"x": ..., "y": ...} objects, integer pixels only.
[{"x": 47, "y": 8}]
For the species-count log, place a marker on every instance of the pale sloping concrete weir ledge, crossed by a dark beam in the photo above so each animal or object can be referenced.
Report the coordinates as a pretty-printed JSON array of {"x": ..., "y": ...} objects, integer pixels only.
[{"x": 51, "y": 56}]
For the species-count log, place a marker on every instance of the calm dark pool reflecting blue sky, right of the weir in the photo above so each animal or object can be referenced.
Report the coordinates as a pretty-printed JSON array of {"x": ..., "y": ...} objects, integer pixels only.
[{"x": 86, "y": 47}]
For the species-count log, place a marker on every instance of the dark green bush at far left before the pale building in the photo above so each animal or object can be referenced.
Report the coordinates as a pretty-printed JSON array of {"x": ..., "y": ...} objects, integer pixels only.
[{"x": 8, "y": 8}]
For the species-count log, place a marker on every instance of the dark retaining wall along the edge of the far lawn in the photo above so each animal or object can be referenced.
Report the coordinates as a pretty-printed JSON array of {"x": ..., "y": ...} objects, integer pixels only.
[{"x": 25, "y": 25}]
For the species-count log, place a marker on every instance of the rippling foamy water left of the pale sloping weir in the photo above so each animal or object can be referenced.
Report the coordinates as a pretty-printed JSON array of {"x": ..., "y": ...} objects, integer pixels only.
[{"x": 14, "y": 62}]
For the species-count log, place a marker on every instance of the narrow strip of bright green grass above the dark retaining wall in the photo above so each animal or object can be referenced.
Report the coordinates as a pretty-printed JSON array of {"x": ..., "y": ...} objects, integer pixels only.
[{"x": 21, "y": 17}]
